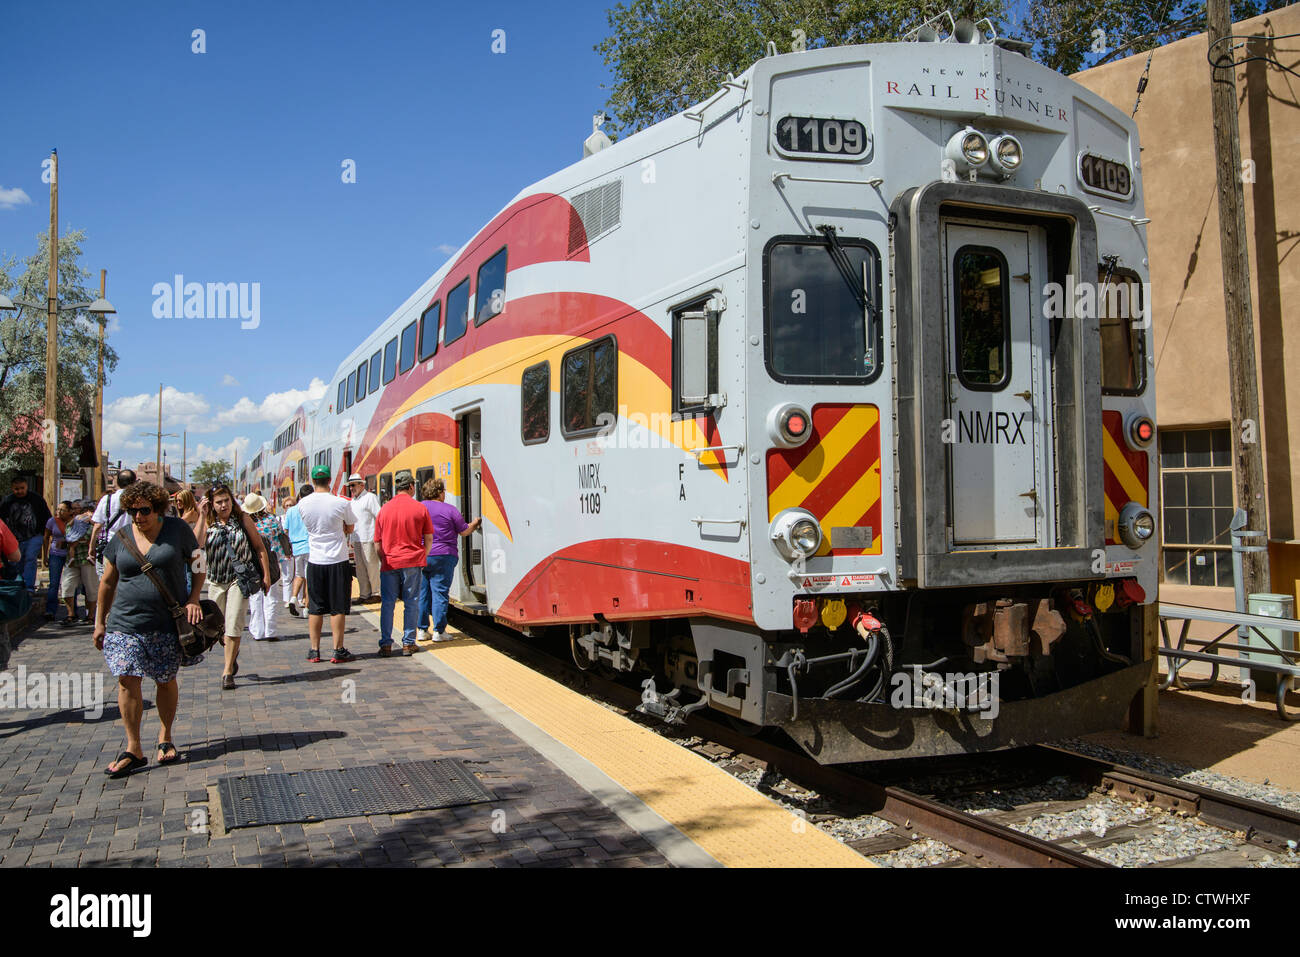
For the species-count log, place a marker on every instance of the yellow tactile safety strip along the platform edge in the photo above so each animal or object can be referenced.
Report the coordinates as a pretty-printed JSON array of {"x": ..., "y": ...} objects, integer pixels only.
[{"x": 727, "y": 820}]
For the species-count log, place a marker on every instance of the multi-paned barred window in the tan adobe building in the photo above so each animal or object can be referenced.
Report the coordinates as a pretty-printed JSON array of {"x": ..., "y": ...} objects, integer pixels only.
[{"x": 1197, "y": 503}]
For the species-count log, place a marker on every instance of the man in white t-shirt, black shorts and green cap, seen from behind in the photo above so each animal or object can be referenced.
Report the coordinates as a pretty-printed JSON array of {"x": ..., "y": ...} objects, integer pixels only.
[{"x": 330, "y": 521}]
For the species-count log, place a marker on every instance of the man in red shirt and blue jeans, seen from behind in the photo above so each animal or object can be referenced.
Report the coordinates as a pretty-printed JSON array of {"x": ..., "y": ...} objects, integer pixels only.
[{"x": 404, "y": 535}]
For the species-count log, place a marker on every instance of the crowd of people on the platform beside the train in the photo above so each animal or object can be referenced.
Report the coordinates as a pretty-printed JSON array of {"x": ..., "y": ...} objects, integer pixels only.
[{"x": 142, "y": 560}]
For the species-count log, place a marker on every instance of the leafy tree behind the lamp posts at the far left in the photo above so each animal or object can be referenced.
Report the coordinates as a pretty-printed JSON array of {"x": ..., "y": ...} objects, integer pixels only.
[{"x": 23, "y": 360}]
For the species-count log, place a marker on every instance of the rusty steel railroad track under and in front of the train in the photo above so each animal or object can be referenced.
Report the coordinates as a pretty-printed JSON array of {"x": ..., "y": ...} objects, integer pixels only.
[{"x": 980, "y": 841}]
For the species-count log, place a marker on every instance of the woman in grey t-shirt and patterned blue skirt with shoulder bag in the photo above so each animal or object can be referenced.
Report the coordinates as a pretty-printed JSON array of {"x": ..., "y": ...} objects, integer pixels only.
[{"x": 133, "y": 622}]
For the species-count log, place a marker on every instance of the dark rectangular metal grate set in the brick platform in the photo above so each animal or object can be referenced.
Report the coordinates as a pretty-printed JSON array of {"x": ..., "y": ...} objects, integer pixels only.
[{"x": 284, "y": 799}]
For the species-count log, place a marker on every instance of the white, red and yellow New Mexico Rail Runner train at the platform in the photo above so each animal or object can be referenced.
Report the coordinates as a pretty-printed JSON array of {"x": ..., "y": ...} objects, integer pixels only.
[{"x": 834, "y": 384}]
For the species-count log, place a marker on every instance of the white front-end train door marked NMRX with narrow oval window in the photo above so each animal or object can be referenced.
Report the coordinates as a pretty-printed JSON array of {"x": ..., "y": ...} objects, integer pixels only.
[{"x": 996, "y": 434}]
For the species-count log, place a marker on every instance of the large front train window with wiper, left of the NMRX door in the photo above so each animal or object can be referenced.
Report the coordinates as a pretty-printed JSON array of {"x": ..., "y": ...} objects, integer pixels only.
[{"x": 824, "y": 315}]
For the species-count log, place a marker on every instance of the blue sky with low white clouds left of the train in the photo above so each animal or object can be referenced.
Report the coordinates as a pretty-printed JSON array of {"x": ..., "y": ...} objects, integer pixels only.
[{"x": 228, "y": 167}]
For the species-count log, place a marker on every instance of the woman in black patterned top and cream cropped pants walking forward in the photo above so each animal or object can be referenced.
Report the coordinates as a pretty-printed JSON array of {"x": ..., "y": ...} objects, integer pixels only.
[{"x": 236, "y": 569}]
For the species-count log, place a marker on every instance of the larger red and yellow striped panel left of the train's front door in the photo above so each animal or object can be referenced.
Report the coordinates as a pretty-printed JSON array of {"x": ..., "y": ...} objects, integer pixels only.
[{"x": 835, "y": 475}]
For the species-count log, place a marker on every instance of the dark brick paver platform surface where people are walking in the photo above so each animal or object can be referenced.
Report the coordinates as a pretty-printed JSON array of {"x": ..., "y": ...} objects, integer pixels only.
[{"x": 58, "y": 807}]
